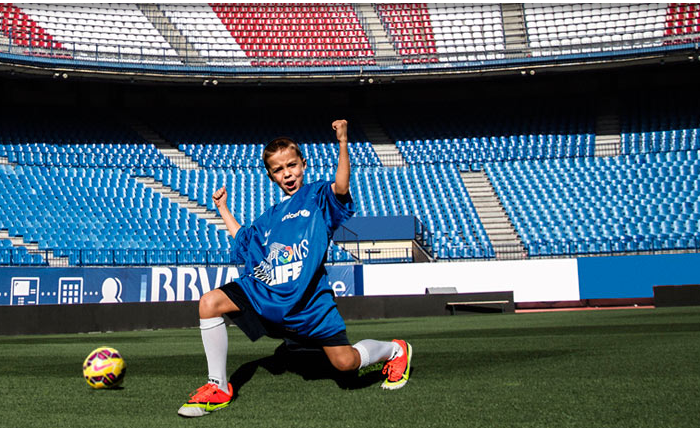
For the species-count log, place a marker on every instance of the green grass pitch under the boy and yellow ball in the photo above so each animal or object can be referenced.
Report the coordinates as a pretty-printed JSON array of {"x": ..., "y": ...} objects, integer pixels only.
[{"x": 622, "y": 368}]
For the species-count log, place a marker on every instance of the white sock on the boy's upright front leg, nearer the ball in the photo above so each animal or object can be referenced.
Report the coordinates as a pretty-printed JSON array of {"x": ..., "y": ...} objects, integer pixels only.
[{"x": 215, "y": 340}]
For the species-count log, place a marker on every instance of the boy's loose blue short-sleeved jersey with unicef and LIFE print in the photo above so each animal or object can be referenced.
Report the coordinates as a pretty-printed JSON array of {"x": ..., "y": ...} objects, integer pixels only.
[{"x": 283, "y": 252}]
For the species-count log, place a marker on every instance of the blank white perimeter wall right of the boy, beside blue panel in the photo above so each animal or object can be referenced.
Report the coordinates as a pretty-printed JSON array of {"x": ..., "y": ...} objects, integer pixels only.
[{"x": 530, "y": 280}]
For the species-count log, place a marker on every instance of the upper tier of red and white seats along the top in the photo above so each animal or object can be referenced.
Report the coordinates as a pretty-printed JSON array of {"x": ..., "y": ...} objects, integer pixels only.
[{"x": 237, "y": 35}]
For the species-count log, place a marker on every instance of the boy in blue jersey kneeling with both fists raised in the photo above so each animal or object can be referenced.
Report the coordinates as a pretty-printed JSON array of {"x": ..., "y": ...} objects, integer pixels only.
[{"x": 283, "y": 291}]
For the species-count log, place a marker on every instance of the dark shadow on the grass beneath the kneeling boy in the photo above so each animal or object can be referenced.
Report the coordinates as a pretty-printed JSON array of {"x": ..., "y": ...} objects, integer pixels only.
[{"x": 310, "y": 364}]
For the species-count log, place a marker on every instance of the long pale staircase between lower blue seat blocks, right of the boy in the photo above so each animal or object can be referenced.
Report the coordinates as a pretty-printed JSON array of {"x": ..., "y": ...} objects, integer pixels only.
[{"x": 499, "y": 229}]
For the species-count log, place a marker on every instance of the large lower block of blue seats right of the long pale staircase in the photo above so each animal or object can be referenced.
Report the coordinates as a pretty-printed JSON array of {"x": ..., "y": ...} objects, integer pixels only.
[{"x": 602, "y": 205}]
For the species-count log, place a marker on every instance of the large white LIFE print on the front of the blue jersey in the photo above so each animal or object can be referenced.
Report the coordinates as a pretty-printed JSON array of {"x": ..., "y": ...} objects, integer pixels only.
[{"x": 283, "y": 263}]
